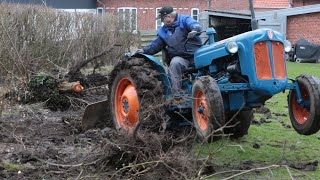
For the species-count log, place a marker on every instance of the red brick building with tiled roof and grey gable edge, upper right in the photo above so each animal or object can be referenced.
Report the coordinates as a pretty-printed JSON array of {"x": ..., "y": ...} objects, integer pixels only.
[{"x": 303, "y": 23}]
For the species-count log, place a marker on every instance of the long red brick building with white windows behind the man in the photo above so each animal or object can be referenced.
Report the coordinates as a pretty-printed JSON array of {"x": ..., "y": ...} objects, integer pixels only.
[{"x": 144, "y": 12}]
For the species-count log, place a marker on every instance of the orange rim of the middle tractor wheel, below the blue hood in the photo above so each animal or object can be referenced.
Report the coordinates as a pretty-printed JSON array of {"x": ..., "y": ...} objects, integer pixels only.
[{"x": 201, "y": 108}]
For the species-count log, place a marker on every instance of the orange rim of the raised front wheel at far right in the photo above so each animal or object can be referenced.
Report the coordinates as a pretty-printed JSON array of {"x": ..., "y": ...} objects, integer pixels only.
[{"x": 300, "y": 114}]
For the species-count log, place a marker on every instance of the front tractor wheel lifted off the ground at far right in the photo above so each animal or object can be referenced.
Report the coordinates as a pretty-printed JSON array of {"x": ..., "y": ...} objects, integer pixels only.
[{"x": 305, "y": 120}]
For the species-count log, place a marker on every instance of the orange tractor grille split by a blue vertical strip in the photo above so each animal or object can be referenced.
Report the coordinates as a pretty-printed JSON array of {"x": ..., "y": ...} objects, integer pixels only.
[{"x": 268, "y": 53}]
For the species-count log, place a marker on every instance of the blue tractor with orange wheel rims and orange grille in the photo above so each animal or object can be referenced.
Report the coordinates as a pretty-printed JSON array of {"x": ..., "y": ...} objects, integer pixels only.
[{"x": 229, "y": 79}]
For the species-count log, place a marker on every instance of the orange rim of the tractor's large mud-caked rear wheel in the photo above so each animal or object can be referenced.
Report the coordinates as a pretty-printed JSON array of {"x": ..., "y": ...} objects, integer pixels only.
[{"x": 126, "y": 104}]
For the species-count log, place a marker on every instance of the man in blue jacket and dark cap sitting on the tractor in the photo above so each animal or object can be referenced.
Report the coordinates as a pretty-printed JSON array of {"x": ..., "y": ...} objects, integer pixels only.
[{"x": 171, "y": 38}]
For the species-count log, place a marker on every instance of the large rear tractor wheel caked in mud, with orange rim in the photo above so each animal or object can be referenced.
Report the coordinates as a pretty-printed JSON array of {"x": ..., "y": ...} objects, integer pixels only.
[{"x": 135, "y": 95}]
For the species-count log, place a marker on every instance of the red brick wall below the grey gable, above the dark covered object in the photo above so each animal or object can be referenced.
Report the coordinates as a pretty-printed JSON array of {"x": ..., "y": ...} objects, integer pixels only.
[{"x": 305, "y": 26}]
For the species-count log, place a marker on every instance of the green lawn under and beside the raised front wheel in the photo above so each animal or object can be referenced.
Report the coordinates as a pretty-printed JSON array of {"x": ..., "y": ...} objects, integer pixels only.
[{"x": 277, "y": 144}]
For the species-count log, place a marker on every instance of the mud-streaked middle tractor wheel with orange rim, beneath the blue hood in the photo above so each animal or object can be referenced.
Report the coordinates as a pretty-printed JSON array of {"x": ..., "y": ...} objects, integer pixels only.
[{"x": 207, "y": 107}]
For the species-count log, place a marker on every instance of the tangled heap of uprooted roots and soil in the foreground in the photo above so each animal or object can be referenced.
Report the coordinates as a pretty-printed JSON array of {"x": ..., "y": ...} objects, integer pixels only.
[{"x": 153, "y": 156}]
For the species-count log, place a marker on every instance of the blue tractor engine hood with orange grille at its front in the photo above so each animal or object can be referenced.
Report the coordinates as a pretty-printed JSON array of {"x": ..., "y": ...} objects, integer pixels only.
[{"x": 261, "y": 57}]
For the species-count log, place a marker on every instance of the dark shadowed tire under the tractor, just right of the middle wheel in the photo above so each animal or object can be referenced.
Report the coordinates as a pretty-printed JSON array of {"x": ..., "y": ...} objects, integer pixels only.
[{"x": 241, "y": 123}]
